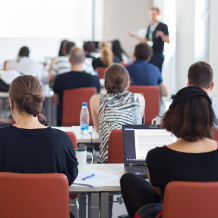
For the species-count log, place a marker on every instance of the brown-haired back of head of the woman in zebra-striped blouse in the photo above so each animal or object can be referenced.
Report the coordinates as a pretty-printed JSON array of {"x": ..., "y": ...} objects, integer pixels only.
[{"x": 116, "y": 79}]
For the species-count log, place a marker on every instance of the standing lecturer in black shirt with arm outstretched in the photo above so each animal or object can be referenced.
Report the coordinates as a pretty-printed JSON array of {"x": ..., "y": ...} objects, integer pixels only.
[{"x": 157, "y": 34}]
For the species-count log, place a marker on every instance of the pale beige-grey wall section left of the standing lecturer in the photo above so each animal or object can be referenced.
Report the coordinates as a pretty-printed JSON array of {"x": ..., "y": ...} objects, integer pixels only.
[{"x": 121, "y": 16}]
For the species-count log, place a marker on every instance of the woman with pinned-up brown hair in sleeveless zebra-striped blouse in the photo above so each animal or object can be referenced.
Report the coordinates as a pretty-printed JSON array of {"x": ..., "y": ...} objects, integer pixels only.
[{"x": 118, "y": 107}]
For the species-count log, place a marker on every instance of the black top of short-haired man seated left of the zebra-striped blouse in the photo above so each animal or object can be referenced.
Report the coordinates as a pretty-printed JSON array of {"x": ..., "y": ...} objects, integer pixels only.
[{"x": 73, "y": 80}]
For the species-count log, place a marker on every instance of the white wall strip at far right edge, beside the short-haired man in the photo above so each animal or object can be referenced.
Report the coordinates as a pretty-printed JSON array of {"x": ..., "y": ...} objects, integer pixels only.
[{"x": 213, "y": 60}]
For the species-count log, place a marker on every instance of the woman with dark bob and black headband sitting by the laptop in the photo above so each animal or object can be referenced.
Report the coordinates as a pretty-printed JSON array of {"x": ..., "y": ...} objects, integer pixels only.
[{"x": 190, "y": 118}]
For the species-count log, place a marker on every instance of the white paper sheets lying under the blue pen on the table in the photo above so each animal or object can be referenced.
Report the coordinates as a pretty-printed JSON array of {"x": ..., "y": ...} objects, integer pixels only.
[{"x": 97, "y": 180}]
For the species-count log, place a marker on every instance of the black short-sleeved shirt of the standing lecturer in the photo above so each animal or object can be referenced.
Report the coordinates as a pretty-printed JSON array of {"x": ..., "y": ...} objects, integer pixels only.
[{"x": 158, "y": 44}]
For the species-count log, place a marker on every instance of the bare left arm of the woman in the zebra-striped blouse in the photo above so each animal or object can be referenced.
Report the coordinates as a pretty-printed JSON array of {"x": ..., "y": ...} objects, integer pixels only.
[{"x": 94, "y": 107}]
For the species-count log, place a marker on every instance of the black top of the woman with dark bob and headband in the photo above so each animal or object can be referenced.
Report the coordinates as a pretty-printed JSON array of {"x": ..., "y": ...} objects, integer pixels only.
[{"x": 166, "y": 165}]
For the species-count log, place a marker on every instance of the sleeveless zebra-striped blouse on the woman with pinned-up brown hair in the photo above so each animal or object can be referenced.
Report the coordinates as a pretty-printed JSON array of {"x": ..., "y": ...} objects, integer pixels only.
[{"x": 116, "y": 110}]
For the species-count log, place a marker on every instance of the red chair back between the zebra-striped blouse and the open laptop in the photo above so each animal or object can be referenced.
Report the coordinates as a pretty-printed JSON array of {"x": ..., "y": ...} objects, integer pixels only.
[{"x": 115, "y": 148}]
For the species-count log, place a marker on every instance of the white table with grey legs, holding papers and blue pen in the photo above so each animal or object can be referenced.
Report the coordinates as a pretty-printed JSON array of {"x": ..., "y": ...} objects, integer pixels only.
[{"x": 98, "y": 197}]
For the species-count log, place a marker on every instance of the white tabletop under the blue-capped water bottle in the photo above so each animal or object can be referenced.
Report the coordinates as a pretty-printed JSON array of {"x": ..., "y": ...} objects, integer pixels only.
[{"x": 92, "y": 138}]
